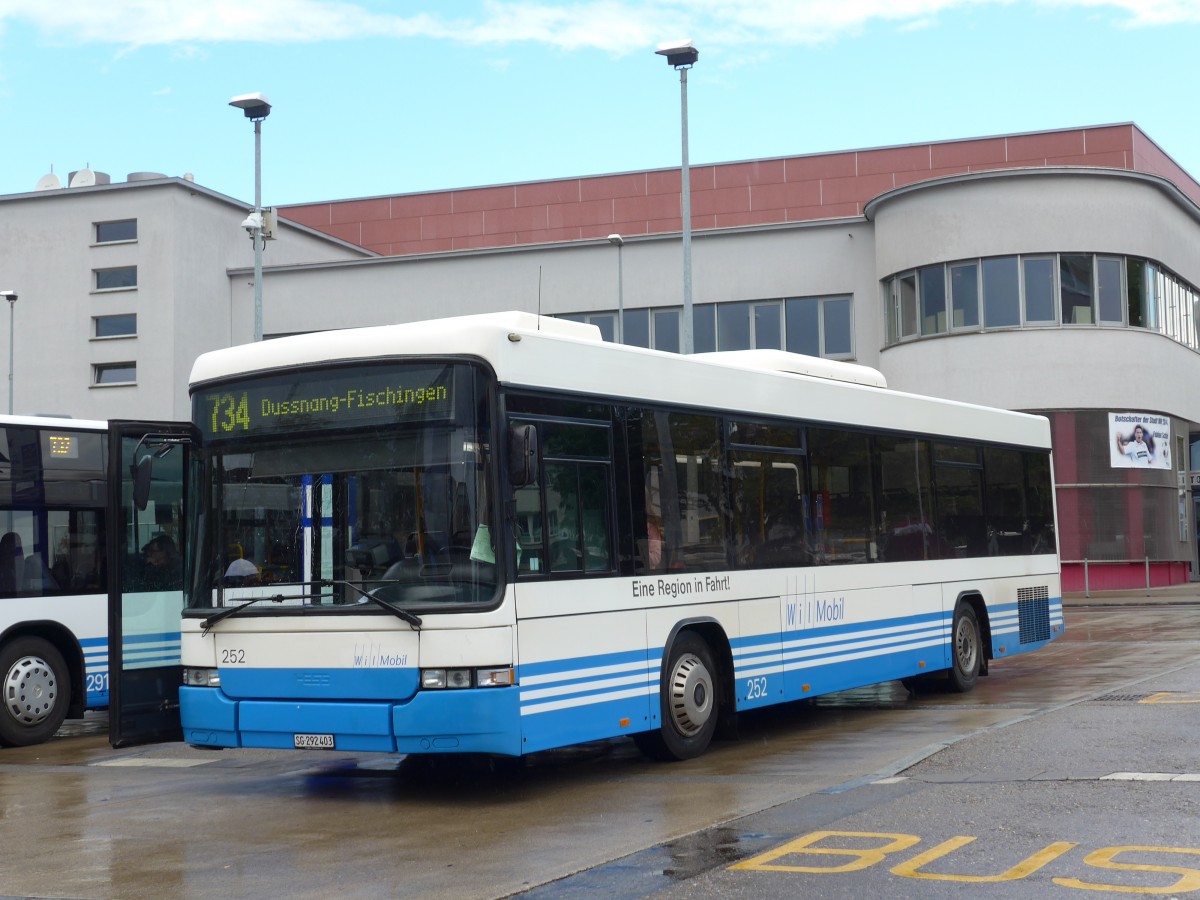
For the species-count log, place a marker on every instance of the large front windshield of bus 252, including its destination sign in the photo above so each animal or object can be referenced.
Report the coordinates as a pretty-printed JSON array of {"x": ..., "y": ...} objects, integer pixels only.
[{"x": 329, "y": 489}]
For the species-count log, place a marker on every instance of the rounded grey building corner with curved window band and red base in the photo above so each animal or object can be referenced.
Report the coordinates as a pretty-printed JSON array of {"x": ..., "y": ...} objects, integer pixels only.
[{"x": 1067, "y": 292}]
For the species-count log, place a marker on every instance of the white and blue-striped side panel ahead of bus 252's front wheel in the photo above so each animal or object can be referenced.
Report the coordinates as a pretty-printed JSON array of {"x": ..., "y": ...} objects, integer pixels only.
[{"x": 584, "y": 677}]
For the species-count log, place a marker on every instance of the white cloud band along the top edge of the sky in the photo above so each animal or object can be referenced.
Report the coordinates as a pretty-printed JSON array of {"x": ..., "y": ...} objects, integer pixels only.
[{"x": 613, "y": 26}]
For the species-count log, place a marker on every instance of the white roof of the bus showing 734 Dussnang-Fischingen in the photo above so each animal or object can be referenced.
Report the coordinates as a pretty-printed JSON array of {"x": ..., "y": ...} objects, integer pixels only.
[{"x": 539, "y": 352}]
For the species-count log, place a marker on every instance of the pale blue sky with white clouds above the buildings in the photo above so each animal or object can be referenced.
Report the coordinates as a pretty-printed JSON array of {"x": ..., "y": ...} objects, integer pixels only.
[{"x": 373, "y": 98}]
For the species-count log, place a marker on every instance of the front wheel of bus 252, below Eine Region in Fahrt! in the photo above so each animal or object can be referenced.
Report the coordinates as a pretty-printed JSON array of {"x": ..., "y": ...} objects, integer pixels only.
[{"x": 689, "y": 703}]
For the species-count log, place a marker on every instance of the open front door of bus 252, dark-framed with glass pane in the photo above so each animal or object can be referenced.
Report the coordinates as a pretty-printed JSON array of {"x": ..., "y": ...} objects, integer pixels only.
[{"x": 147, "y": 544}]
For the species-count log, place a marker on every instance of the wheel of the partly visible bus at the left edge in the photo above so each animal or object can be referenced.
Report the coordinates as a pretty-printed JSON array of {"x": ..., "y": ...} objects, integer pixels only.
[{"x": 37, "y": 692}]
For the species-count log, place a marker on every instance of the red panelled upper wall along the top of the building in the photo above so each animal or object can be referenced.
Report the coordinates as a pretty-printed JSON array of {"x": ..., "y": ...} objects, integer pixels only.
[{"x": 793, "y": 189}]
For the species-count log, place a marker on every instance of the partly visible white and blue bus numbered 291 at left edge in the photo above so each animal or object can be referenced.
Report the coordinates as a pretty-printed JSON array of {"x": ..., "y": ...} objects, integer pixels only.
[{"x": 56, "y": 527}]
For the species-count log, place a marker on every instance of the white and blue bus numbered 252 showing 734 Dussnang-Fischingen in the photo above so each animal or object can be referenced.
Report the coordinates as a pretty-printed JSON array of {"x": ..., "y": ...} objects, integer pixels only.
[{"x": 500, "y": 535}]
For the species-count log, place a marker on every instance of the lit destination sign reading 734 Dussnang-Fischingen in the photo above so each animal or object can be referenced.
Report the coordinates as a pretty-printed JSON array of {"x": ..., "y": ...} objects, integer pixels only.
[{"x": 326, "y": 400}]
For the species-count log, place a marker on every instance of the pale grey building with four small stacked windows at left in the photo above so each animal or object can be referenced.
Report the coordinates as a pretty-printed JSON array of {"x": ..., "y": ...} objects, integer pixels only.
[{"x": 121, "y": 286}]
